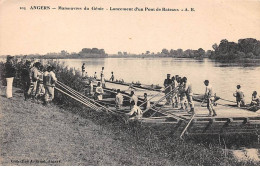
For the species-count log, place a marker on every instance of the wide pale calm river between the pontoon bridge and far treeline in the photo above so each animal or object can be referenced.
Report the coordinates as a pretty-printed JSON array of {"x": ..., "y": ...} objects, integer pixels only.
[{"x": 223, "y": 77}]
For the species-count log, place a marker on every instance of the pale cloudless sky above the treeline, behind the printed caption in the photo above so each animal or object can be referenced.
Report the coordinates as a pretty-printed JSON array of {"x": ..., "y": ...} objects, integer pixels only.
[{"x": 42, "y": 31}]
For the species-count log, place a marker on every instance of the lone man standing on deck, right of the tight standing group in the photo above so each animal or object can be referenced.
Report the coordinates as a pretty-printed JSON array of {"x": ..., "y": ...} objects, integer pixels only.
[{"x": 210, "y": 97}]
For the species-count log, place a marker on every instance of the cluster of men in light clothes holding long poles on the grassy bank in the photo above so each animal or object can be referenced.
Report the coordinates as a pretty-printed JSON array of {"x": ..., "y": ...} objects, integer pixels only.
[{"x": 37, "y": 82}]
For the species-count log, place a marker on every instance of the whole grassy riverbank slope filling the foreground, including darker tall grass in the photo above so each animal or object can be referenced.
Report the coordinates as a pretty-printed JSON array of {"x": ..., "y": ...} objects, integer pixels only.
[{"x": 78, "y": 136}]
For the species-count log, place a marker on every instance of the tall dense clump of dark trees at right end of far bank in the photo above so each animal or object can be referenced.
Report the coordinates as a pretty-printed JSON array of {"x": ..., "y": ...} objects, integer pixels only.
[{"x": 248, "y": 48}]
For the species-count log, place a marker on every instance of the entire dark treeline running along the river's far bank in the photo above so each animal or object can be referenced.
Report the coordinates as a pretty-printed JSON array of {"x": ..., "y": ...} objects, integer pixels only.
[{"x": 245, "y": 49}]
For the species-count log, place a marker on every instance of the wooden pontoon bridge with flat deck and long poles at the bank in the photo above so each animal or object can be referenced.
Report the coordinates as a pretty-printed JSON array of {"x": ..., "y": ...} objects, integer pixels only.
[{"x": 229, "y": 119}]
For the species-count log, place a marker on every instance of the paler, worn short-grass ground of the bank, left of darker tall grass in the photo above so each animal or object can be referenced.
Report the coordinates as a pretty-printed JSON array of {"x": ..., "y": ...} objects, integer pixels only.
[{"x": 32, "y": 134}]
